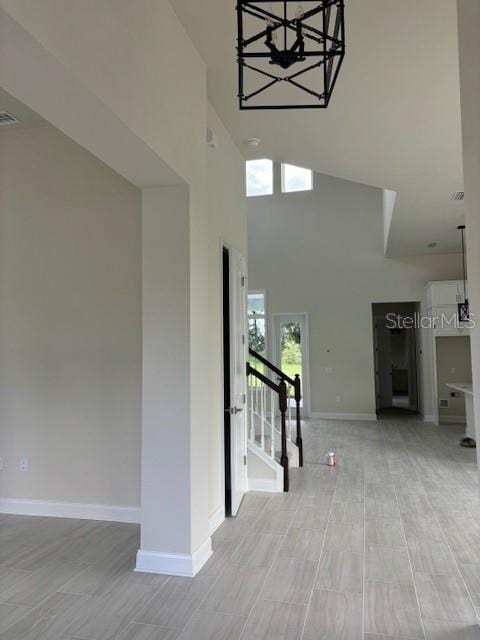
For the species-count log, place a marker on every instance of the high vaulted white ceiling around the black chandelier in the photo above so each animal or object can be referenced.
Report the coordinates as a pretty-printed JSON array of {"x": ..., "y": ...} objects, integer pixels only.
[{"x": 394, "y": 119}]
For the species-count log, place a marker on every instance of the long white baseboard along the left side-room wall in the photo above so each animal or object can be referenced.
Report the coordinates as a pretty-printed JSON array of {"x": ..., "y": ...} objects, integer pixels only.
[{"x": 77, "y": 510}]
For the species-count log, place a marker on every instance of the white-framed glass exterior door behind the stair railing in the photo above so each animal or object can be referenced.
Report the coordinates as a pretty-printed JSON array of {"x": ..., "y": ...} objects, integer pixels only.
[{"x": 291, "y": 351}]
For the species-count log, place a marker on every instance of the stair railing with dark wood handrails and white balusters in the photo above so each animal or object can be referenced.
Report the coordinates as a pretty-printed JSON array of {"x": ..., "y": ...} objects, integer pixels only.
[{"x": 274, "y": 420}]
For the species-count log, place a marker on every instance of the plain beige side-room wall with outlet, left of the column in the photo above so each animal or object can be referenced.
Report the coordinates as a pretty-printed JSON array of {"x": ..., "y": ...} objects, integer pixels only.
[{"x": 70, "y": 323}]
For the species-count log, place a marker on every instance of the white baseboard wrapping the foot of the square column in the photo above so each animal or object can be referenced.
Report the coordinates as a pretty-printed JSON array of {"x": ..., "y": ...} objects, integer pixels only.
[{"x": 174, "y": 564}]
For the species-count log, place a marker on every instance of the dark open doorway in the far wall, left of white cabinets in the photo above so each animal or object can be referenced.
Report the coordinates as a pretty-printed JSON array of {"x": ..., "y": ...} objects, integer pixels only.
[{"x": 395, "y": 357}]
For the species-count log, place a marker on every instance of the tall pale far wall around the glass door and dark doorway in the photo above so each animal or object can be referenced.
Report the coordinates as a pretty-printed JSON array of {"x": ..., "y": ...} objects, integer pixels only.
[{"x": 321, "y": 252}]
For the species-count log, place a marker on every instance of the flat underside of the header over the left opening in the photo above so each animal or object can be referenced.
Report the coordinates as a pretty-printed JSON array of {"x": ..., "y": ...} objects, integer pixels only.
[{"x": 47, "y": 87}]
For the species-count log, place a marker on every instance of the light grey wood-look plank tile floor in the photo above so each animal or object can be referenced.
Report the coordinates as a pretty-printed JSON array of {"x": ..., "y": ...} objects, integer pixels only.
[{"x": 384, "y": 546}]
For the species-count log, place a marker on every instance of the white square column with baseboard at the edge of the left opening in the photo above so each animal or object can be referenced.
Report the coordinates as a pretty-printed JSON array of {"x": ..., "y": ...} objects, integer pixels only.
[{"x": 174, "y": 525}]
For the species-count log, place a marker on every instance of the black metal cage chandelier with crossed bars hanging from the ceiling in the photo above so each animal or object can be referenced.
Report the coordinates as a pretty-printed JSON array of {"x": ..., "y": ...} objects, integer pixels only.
[{"x": 289, "y": 52}]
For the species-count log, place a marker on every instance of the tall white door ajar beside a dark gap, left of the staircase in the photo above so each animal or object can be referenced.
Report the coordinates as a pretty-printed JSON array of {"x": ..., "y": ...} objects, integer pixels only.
[{"x": 234, "y": 378}]
